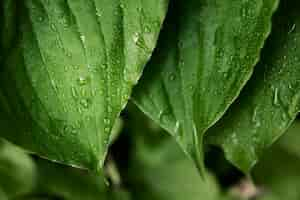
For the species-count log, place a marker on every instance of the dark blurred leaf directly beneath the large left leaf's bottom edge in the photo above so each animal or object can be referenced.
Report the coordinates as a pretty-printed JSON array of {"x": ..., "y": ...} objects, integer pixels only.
[{"x": 68, "y": 183}]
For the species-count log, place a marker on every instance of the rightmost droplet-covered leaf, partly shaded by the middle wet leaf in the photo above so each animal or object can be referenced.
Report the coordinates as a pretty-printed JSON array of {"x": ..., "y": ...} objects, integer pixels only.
[{"x": 270, "y": 101}]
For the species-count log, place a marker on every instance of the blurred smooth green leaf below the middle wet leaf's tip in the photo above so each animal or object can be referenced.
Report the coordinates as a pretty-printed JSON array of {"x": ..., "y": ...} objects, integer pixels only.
[{"x": 159, "y": 170}]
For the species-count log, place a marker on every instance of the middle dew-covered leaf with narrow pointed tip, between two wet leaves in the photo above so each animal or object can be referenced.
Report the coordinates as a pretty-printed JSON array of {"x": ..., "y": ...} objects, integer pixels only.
[{"x": 205, "y": 55}]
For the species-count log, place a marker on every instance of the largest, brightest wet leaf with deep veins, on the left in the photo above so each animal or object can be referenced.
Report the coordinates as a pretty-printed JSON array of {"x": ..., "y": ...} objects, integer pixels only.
[{"x": 70, "y": 72}]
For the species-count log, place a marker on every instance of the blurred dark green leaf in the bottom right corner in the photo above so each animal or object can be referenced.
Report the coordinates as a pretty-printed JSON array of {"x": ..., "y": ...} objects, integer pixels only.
[{"x": 277, "y": 172}]
